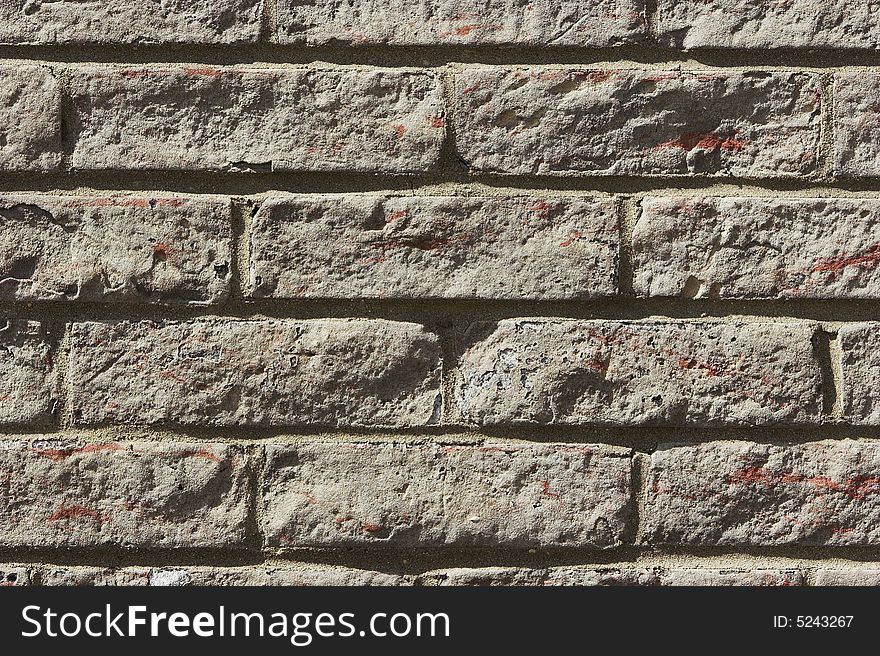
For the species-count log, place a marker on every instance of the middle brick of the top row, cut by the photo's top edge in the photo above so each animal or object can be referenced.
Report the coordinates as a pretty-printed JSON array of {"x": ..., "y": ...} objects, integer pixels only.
[{"x": 597, "y": 23}]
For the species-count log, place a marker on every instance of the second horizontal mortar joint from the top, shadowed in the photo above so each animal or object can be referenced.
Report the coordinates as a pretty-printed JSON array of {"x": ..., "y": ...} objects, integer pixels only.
[{"x": 448, "y": 182}]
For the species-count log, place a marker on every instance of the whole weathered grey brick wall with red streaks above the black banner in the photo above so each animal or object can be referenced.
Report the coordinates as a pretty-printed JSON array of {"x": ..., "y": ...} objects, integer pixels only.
[{"x": 397, "y": 293}]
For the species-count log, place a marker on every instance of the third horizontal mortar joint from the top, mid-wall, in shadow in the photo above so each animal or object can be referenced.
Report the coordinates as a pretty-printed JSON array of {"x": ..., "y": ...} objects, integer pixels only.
[{"x": 437, "y": 313}]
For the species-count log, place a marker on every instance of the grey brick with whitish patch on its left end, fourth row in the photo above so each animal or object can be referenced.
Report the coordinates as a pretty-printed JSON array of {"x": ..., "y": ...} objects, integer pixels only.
[{"x": 630, "y": 373}]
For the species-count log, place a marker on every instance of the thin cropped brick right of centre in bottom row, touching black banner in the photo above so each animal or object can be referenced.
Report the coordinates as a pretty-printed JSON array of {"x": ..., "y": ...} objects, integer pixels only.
[{"x": 584, "y": 576}]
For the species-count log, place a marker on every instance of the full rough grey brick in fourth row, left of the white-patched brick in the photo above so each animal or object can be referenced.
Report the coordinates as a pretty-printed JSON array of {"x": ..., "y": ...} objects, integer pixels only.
[{"x": 240, "y": 373}]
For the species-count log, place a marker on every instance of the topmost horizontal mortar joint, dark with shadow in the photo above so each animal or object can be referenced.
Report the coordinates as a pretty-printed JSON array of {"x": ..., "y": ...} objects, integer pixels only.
[{"x": 646, "y": 54}]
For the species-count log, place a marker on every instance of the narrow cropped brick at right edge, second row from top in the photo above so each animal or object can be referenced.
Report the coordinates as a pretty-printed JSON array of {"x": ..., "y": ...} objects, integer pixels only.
[{"x": 857, "y": 125}]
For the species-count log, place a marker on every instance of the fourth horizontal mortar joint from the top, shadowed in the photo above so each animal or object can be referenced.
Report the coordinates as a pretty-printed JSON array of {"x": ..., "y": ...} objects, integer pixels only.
[{"x": 637, "y": 439}]
